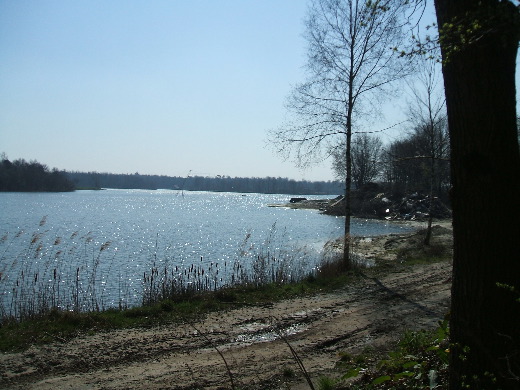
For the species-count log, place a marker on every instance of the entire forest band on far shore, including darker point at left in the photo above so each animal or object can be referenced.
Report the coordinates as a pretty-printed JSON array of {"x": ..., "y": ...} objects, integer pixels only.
[{"x": 23, "y": 176}]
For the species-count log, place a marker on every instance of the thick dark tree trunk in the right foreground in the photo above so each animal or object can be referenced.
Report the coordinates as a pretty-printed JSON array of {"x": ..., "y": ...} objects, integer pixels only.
[{"x": 485, "y": 169}]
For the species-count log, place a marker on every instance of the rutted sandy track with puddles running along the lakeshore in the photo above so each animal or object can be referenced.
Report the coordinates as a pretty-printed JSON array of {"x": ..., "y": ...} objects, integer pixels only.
[{"x": 371, "y": 313}]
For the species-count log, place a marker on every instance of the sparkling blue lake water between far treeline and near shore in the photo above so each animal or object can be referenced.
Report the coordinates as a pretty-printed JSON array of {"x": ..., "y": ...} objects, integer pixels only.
[{"x": 101, "y": 246}]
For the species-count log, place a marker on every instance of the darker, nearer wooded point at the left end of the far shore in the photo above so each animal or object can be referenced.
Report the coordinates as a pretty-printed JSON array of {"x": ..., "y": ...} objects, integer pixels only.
[{"x": 32, "y": 176}]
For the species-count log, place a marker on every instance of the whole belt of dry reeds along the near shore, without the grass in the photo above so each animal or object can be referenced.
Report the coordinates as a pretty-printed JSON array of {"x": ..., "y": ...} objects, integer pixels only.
[{"x": 70, "y": 273}]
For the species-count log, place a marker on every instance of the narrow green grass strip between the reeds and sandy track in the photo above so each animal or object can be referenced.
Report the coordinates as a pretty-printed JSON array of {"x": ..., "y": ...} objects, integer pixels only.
[{"x": 59, "y": 325}]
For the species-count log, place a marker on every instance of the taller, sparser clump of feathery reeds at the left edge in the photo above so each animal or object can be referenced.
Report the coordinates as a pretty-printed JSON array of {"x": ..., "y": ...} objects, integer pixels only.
[{"x": 49, "y": 273}]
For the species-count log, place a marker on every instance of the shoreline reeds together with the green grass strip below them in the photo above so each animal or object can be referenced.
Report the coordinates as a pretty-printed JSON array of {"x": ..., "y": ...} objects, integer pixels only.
[{"x": 45, "y": 298}]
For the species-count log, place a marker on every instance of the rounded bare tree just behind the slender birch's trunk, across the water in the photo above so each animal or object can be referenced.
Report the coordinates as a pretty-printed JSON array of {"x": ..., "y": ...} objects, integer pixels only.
[{"x": 366, "y": 152}]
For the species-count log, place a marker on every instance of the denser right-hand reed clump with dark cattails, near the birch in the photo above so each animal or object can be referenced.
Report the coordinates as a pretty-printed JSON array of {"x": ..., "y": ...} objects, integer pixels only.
[{"x": 251, "y": 266}]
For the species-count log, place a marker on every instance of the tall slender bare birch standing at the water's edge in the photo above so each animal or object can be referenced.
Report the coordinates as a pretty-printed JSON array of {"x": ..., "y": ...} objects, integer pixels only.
[{"x": 349, "y": 65}]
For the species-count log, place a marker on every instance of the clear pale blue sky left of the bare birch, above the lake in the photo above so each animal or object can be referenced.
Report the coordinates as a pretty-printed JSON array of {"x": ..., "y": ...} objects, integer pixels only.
[{"x": 167, "y": 87}]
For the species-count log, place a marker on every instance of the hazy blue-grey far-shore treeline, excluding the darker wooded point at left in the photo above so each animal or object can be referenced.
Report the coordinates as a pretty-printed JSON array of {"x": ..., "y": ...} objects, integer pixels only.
[{"x": 275, "y": 185}]
